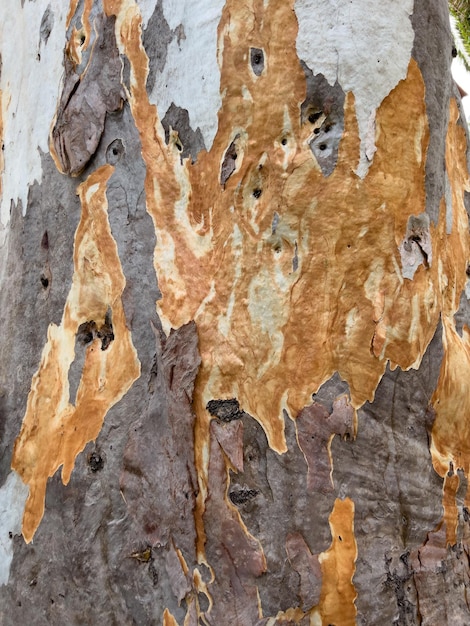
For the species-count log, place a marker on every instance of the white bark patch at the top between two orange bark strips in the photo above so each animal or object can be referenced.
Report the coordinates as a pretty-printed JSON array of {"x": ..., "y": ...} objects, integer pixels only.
[{"x": 191, "y": 76}]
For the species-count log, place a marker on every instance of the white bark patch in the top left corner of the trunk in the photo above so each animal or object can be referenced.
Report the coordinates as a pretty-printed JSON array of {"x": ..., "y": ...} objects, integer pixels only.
[{"x": 30, "y": 81}]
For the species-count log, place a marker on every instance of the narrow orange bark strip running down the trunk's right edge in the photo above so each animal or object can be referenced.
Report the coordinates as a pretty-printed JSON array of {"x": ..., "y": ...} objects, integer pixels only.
[{"x": 450, "y": 447}]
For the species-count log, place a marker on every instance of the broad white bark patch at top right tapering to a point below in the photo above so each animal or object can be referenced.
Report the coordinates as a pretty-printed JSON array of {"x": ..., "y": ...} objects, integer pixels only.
[{"x": 365, "y": 46}]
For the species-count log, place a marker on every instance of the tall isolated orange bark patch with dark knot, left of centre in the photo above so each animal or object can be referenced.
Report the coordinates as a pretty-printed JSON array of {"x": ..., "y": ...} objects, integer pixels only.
[{"x": 54, "y": 431}]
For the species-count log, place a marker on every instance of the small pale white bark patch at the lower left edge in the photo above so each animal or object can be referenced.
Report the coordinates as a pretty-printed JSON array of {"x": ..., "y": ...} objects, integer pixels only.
[{"x": 13, "y": 496}]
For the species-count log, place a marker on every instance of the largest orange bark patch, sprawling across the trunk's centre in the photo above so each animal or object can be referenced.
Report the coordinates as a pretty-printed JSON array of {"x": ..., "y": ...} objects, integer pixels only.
[{"x": 270, "y": 334}]
